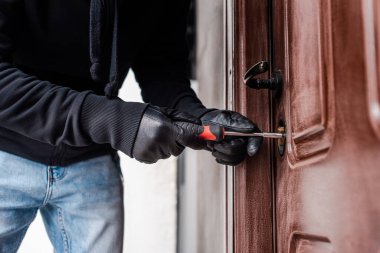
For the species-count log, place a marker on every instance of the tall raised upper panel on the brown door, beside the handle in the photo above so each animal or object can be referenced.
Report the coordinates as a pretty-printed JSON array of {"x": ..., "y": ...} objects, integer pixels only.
[{"x": 309, "y": 92}]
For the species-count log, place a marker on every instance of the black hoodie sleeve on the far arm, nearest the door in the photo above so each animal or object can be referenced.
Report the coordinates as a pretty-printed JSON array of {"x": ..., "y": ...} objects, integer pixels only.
[{"x": 161, "y": 65}]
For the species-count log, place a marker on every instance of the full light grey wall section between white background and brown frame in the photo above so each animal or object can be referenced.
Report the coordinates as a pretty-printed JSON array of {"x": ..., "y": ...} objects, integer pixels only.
[{"x": 203, "y": 187}]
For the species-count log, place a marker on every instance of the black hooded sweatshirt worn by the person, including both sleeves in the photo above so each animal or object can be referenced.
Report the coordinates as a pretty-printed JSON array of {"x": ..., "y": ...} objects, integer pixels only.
[{"x": 63, "y": 61}]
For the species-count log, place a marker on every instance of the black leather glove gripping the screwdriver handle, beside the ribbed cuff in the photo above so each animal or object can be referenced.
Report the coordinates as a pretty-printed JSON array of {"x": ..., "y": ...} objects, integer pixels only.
[{"x": 166, "y": 132}]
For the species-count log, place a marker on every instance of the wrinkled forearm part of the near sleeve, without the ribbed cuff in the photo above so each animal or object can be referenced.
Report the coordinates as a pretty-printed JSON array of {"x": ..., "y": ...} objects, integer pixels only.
[{"x": 39, "y": 109}]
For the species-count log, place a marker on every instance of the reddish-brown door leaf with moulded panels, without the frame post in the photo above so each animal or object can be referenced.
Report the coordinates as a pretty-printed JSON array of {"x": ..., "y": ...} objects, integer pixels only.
[{"x": 327, "y": 181}]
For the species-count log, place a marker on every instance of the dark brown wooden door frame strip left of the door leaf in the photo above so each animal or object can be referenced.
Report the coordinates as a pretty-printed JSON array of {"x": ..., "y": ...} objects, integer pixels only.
[{"x": 253, "y": 223}]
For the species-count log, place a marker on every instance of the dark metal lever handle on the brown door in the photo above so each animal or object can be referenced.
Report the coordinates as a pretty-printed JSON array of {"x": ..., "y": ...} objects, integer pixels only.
[{"x": 274, "y": 83}]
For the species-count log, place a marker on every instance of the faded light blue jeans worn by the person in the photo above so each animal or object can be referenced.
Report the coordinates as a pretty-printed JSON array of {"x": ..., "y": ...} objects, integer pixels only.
[{"x": 81, "y": 204}]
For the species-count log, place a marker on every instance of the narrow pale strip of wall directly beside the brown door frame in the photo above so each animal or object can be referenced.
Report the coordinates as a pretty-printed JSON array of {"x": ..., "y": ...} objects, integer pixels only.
[{"x": 211, "y": 77}]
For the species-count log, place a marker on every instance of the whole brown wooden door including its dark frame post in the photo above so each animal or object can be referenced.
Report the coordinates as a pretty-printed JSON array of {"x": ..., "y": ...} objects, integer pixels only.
[{"x": 322, "y": 194}]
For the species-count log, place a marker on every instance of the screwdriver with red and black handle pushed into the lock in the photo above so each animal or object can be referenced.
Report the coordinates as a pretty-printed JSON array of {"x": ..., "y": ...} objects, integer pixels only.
[{"x": 217, "y": 133}]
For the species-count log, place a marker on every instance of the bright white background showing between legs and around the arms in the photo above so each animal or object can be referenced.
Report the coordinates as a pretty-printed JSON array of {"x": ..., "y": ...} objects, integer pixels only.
[{"x": 150, "y": 195}]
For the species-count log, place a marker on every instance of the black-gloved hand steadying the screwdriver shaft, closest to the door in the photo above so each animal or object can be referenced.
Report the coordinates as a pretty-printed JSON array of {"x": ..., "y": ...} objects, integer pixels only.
[{"x": 232, "y": 150}]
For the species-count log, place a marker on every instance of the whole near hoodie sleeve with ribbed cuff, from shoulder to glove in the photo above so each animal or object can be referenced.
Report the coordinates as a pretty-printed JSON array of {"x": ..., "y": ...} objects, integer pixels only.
[{"x": 54, "y": 114}]
